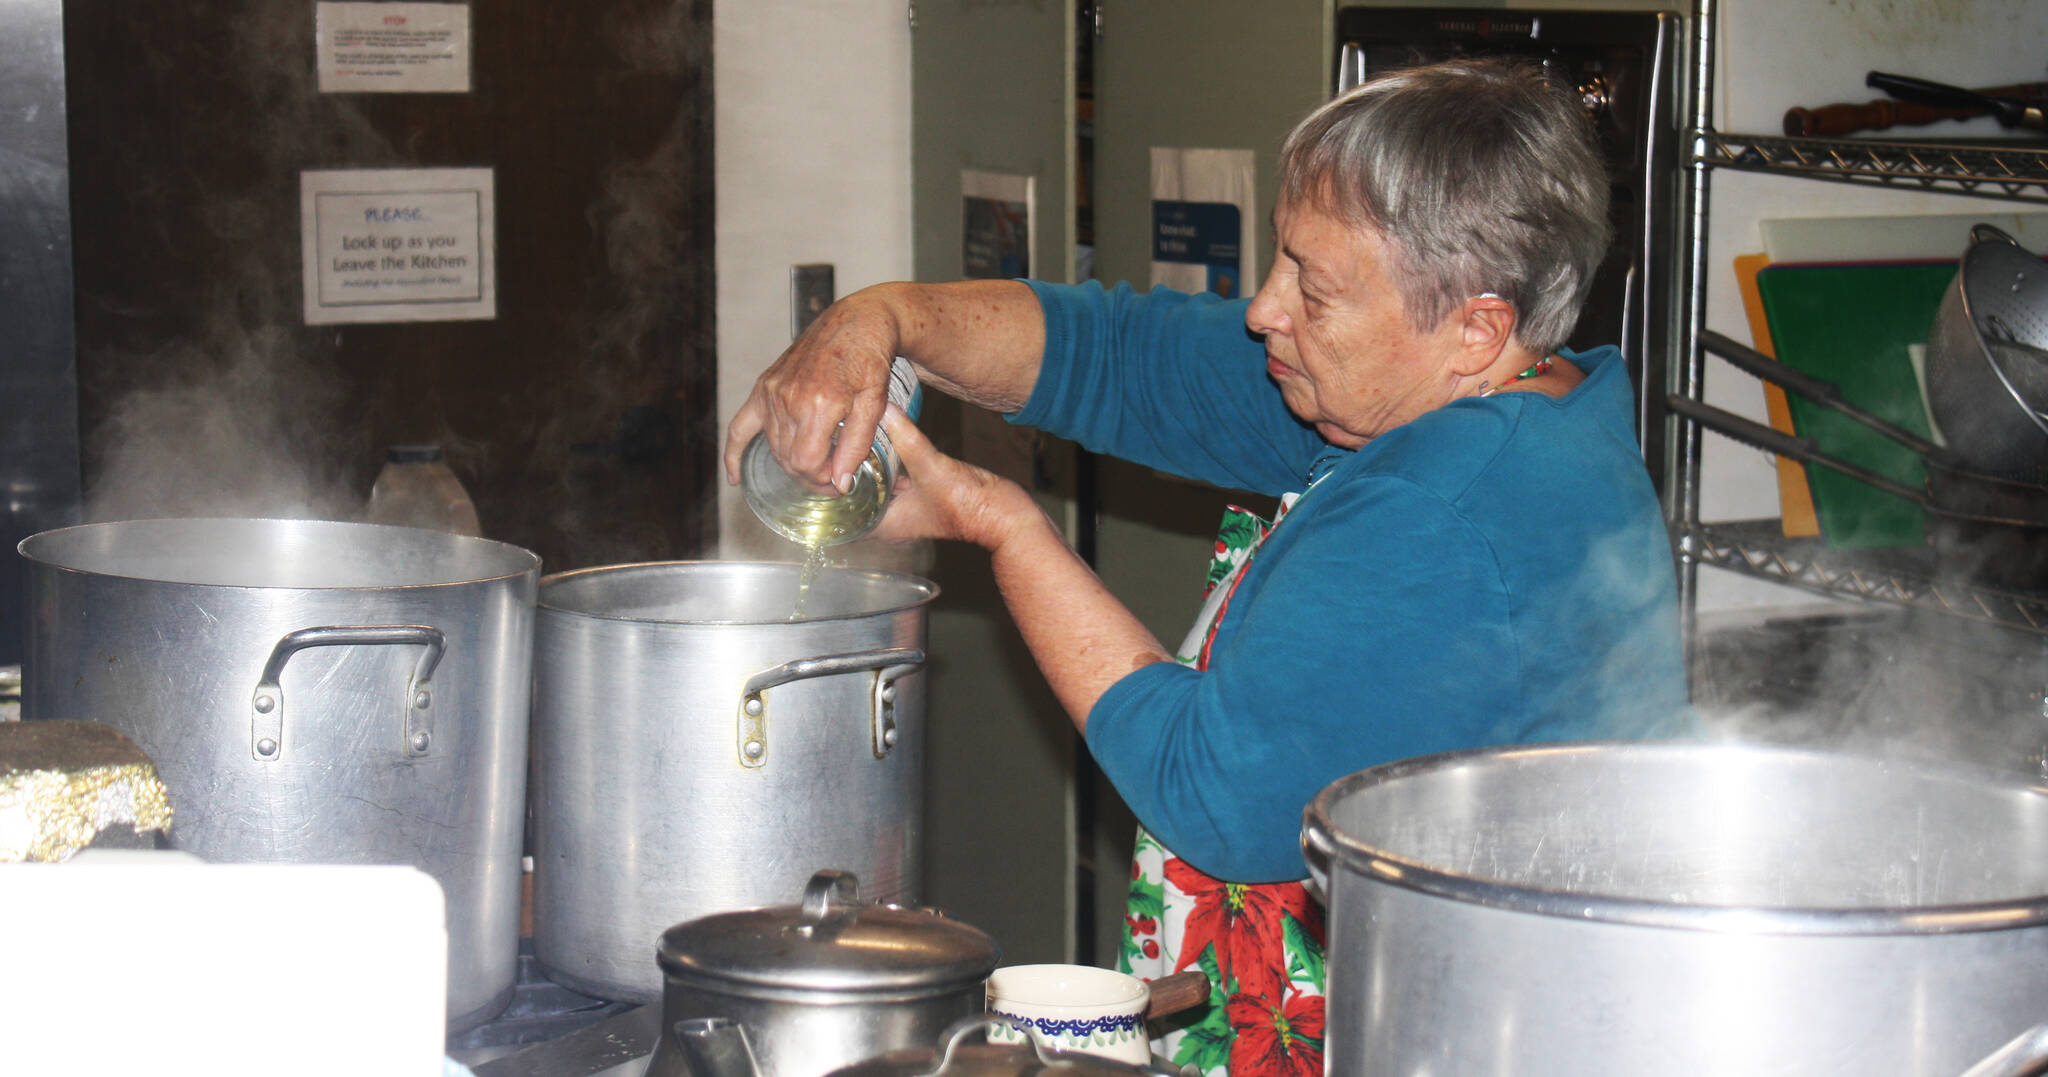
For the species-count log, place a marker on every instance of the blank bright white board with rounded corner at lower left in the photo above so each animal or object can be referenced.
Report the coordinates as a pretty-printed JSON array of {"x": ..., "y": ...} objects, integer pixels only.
[{"x": 161, "y": 963}]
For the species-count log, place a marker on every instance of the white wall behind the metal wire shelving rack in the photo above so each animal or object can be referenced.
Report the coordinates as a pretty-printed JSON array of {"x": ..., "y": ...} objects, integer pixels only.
[{"x": 1779, "y": 54}]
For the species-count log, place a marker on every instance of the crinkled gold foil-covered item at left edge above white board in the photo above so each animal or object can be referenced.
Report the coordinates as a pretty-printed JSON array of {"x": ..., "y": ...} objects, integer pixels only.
[{"x": 69, "y": 783}]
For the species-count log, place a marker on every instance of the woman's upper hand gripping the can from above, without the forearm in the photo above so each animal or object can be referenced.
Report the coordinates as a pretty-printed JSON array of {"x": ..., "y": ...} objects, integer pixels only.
[{"x": 835, "y": 374}]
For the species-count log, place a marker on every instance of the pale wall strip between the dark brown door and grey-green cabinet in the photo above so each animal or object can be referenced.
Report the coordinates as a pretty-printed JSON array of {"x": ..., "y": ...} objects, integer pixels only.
[{"x": 812, "y": 167}]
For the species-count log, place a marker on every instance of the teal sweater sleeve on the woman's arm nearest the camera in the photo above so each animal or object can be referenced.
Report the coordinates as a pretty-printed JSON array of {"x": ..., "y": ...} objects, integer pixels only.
[{"x": 1381, "y": 634}]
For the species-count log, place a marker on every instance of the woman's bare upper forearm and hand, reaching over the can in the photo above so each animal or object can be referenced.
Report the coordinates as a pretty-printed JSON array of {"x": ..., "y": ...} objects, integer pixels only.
[{"x": 978, "y": 341}]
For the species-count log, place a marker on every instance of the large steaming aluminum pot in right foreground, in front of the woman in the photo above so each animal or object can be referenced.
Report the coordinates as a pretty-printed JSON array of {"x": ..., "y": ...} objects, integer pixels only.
[{"x": 1709, "y": 910}]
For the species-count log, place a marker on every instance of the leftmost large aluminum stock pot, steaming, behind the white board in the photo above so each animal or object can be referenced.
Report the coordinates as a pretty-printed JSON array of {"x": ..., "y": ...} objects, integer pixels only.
[{"x": 310, "y": 693}]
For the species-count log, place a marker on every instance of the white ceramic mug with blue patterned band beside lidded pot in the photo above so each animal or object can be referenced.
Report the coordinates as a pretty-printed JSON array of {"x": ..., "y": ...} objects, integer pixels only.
[{"x": 1074, "y": 1008}]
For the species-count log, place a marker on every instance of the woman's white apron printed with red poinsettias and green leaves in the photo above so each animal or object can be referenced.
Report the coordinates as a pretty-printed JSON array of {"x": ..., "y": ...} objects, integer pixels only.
[{"x": 1261, "y": 945}]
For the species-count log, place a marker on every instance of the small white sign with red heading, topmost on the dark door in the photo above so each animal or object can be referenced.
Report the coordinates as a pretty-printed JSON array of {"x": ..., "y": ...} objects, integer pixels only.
[{"x": 392, "y": 48}]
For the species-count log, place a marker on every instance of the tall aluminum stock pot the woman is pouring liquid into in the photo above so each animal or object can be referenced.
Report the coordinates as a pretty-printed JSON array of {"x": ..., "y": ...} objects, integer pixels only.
[{"x": 697, "y": 752}]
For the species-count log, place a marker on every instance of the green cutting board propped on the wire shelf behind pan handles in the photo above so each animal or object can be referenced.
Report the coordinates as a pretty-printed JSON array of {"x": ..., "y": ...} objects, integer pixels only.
[{"x": 1854, "y": 325}]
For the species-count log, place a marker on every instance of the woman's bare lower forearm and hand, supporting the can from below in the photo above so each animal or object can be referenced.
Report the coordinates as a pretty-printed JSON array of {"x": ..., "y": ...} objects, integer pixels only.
[{"x": 1080, "y": 636}]
